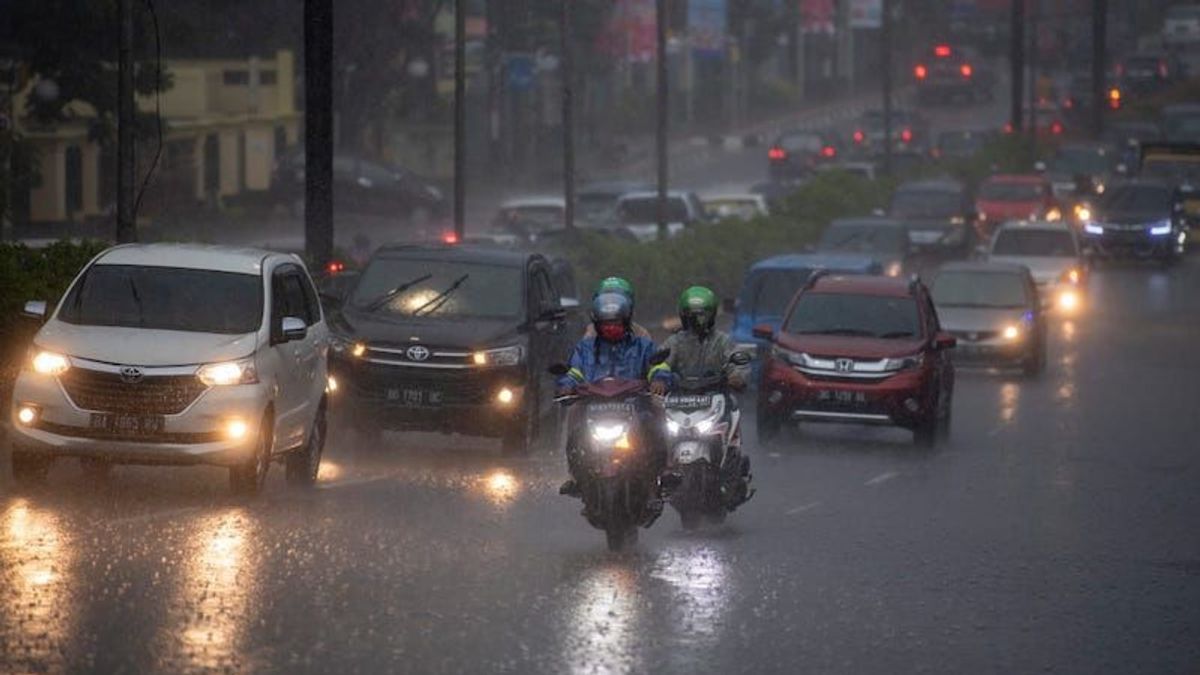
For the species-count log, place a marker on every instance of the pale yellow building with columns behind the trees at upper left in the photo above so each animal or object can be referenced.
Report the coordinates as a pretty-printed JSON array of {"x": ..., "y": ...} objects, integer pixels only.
[{"x": 226, "y": 122}]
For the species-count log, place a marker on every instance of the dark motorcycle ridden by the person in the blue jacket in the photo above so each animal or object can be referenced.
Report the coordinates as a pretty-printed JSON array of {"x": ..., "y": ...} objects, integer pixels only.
[{"x": 611, "y": 443}]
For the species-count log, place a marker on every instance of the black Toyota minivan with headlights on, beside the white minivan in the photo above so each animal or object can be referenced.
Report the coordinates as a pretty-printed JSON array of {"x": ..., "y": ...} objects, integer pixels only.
[{"x": 453, "y": 339}]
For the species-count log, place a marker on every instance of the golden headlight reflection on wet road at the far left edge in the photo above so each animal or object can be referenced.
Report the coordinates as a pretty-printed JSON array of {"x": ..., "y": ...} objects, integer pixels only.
[{"x": 35, "y": 595}]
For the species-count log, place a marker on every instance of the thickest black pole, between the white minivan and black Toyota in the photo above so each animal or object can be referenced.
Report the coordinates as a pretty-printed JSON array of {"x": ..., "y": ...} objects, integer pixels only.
[{"x": 319, "y": 130}]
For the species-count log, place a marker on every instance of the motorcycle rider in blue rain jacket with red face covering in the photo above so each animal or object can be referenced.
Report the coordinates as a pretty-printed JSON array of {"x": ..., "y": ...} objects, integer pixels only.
[{"x": 615, "y": 351}]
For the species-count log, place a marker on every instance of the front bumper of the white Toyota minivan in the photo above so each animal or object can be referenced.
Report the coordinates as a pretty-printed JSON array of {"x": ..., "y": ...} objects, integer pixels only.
[{"x": 197, "y": 435}]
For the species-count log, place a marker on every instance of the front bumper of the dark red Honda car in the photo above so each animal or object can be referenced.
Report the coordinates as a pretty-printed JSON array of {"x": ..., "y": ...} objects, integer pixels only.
[{"x": 903, "y": 399}]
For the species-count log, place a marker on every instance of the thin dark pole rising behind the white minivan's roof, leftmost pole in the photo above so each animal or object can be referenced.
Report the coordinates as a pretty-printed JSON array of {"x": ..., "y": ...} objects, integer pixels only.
[{"x": 127, "y": 225}]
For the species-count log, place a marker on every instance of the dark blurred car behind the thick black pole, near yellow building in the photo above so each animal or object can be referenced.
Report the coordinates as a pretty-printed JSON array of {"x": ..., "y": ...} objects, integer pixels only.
[{"x": 362, "y": 187}]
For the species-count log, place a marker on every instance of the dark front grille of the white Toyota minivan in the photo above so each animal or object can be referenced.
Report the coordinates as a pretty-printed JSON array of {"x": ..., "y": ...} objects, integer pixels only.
[{"x": 106, "y": 392}]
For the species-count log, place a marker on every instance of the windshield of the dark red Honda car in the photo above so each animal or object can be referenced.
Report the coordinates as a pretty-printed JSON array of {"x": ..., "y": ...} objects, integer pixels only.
[{"x": 857, "y": 315}]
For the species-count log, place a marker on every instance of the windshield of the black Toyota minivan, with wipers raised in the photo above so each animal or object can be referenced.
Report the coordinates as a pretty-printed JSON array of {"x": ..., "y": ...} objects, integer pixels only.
[{"x": 440, "y": 289}]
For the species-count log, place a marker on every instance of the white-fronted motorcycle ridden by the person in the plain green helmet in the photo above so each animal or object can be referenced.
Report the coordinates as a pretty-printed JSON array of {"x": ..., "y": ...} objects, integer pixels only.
[{"x": 704, "y": 459}]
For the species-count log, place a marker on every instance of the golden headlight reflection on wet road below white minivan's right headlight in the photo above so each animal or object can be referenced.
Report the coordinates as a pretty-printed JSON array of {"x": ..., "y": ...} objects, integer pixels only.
[{"x": 211, "y": 612}]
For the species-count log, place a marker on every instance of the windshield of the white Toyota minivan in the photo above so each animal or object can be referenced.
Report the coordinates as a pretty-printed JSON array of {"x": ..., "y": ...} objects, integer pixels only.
[{"x": 165, "y": 298}]
